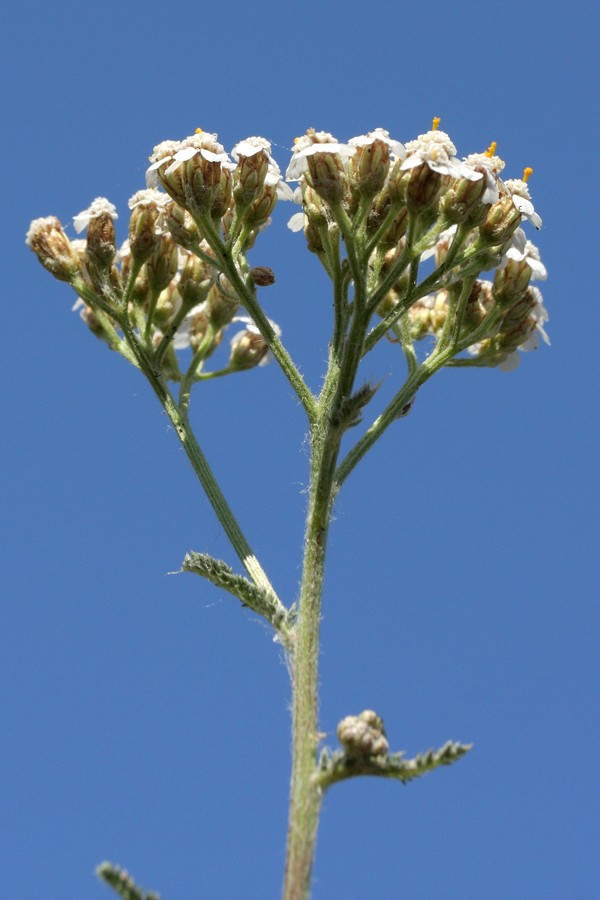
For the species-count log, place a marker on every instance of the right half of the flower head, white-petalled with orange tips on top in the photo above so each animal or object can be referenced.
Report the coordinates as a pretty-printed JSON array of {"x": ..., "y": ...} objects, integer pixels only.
[{"x": 405, "y": 205}]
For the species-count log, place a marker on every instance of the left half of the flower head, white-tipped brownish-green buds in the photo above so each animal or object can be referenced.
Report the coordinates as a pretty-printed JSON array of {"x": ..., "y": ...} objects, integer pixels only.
[{"x": 181, "y": 277}]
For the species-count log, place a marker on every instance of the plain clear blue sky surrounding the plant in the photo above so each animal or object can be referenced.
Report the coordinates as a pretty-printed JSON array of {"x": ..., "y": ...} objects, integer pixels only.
[{"x": 145, "y": 716}]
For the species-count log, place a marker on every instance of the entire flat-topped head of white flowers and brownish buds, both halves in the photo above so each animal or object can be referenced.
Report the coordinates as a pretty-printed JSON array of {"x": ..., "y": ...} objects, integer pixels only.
[{"x": 376, "y": 212}]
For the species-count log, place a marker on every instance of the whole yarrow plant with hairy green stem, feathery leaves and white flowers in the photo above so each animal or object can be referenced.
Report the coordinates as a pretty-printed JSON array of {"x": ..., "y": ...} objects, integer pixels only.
[{"x": 406, "y": 234}]
